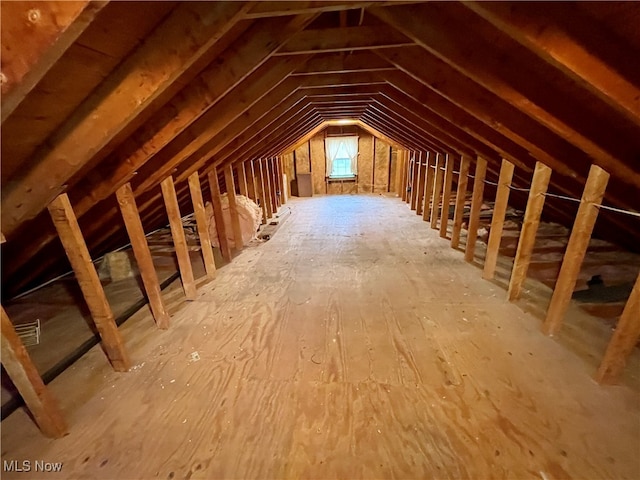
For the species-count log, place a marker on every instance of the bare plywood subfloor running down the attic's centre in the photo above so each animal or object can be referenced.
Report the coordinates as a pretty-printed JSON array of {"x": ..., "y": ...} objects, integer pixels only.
[{"x": 353, "y": 344}]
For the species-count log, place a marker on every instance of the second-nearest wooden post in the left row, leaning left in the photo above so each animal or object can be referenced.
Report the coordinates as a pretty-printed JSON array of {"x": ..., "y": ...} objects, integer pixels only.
[{"x": 70, "y": 235}]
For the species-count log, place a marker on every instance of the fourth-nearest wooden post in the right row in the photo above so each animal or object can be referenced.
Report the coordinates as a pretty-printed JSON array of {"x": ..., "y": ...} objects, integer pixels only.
[{"x": 497, "y": 219}]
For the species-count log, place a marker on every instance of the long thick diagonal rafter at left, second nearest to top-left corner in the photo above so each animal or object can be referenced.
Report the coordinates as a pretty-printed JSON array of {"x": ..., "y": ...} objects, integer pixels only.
[{"x": 138, "y": 81}]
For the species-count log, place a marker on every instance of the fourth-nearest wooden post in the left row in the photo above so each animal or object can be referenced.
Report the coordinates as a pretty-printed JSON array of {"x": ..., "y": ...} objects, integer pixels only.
[{"x": 179, "y": 240}]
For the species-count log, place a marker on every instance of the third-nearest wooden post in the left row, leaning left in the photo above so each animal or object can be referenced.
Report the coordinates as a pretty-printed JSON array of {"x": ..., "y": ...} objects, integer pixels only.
[{"x": 133, "y": 224}]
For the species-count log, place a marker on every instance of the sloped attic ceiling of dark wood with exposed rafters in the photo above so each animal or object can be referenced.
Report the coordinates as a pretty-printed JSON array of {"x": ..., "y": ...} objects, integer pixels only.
[{"x": 97, "y": 94}]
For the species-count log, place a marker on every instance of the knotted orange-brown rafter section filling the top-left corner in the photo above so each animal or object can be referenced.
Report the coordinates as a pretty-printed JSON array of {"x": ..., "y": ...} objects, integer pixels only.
[{"x": 51, "y": 28}]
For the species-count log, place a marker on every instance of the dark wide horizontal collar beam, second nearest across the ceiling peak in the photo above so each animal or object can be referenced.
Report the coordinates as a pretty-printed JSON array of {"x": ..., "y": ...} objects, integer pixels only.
[{"x": 343, "y": 39}]
